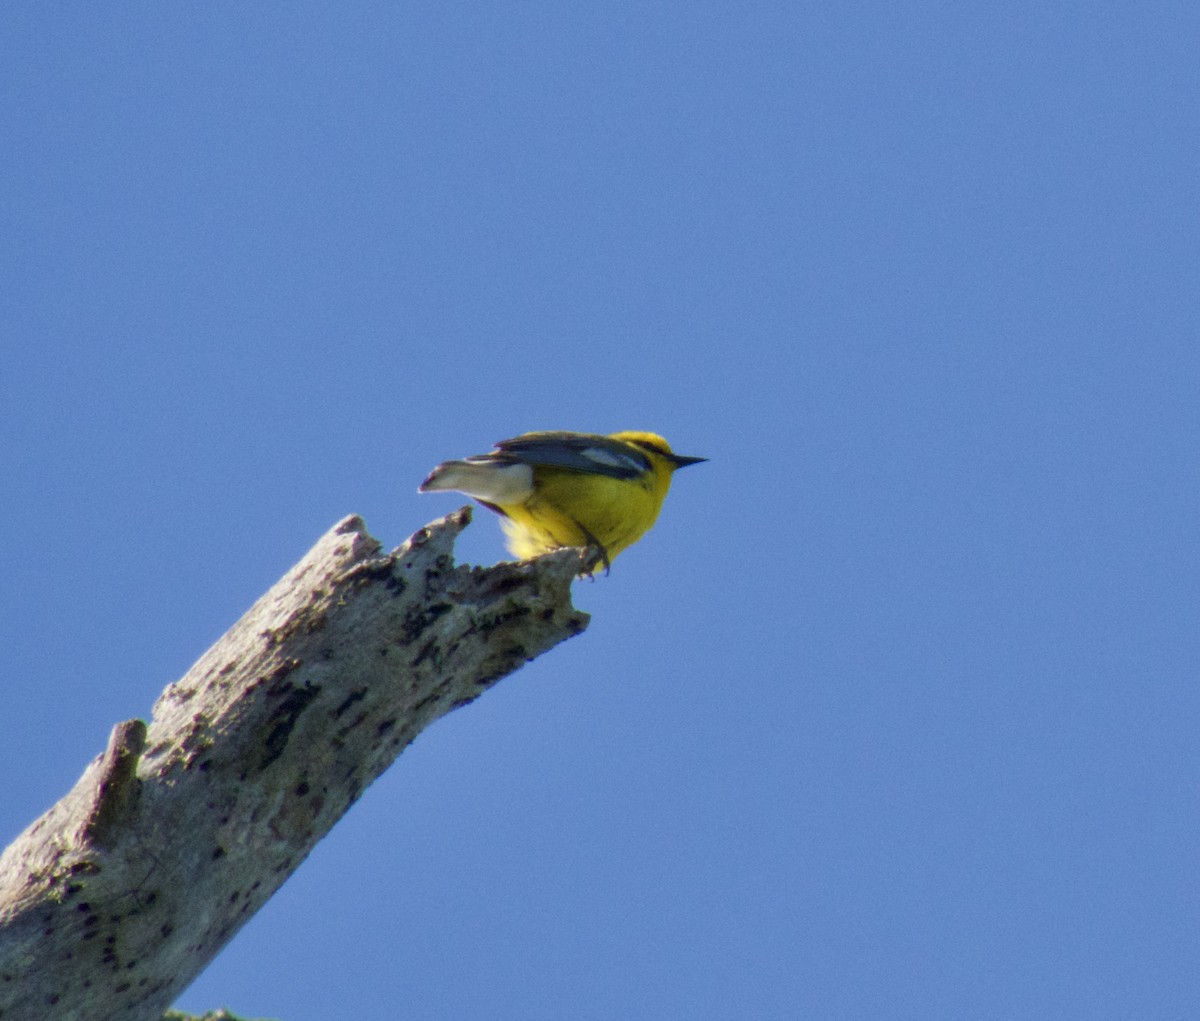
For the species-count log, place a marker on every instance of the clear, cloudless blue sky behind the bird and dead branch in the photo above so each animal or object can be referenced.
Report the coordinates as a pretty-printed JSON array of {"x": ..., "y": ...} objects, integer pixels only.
[{"x": 893, "y": 716}]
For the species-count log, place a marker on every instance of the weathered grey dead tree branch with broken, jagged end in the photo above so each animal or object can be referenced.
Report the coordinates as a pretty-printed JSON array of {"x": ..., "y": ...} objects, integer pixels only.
[{"x": 116, "y": 899}]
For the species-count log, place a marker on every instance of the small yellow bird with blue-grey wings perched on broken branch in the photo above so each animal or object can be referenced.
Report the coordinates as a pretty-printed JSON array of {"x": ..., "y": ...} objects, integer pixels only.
[{"x": 557, "y": 489}]
